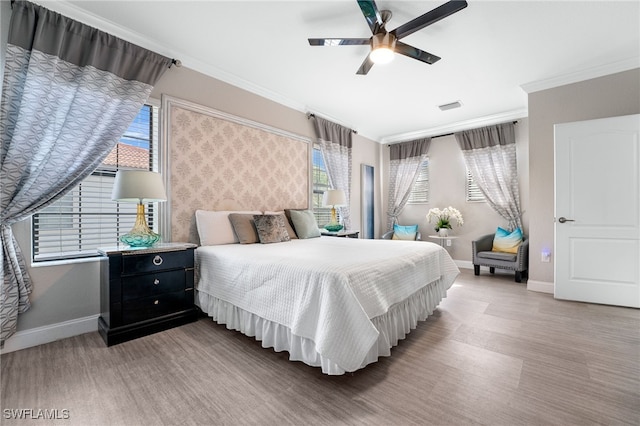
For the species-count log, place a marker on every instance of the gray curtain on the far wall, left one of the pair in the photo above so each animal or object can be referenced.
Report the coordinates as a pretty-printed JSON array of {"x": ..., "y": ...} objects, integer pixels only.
[{"x": 404, "y": 167}]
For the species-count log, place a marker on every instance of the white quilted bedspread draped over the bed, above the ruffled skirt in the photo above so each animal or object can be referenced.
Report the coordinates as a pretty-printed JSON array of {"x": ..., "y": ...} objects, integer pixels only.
[{"x": 329, "y": 301}]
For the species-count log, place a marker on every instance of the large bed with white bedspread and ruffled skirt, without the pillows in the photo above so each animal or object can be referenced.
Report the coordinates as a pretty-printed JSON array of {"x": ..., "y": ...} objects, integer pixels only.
[{"x": 333, "y": 303}]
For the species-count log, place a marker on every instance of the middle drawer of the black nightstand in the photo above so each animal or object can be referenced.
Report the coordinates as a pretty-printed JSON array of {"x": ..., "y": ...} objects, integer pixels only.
[{"x": 135, "y": 287}]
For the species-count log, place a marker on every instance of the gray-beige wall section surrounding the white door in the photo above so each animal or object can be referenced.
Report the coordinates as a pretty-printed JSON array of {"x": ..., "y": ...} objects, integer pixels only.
[{"x": 609, "y": 96}]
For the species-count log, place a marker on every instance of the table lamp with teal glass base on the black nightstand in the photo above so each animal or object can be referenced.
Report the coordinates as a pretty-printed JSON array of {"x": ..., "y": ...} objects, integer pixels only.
[{"x": 139, "y": 186}]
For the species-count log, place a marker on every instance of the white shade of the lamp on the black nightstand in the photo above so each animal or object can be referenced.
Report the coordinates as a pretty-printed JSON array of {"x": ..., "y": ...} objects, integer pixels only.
[{"x": 138, "y": 186}]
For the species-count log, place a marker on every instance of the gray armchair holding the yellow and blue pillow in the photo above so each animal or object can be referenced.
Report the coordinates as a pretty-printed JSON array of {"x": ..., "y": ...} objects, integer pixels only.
[{"x": 483, "y": 256}]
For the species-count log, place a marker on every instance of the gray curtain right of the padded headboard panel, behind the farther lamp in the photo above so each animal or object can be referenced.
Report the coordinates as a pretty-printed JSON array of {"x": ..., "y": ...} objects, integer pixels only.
[{"x": 335, "y": 143}]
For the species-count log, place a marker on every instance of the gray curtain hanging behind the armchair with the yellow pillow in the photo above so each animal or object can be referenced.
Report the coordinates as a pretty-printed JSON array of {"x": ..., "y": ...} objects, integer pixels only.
[{"x": 490, "y": 155}]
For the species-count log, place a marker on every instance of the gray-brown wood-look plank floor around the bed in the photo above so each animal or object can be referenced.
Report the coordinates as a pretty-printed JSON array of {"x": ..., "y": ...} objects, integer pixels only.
[{"x": 493, "y": 353}]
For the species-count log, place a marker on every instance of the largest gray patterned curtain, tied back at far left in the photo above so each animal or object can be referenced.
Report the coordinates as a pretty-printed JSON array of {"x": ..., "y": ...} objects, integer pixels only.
[{"x": 69, "y": 92}]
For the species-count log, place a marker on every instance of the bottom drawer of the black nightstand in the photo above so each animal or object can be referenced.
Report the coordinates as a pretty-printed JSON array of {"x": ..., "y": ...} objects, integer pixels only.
[{"x": 152, "y": 307}]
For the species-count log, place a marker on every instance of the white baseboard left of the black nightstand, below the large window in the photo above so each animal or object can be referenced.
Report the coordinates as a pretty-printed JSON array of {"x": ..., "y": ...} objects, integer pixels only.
[{"x": 50, "y": 333}]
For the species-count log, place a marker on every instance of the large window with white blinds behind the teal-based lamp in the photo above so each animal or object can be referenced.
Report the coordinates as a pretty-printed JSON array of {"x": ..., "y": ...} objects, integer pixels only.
[{"x": 86, "y": 218}]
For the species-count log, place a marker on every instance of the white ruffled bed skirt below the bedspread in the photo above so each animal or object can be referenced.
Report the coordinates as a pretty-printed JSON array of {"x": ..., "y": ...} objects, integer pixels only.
[{"x": 392, "y": 326}]
